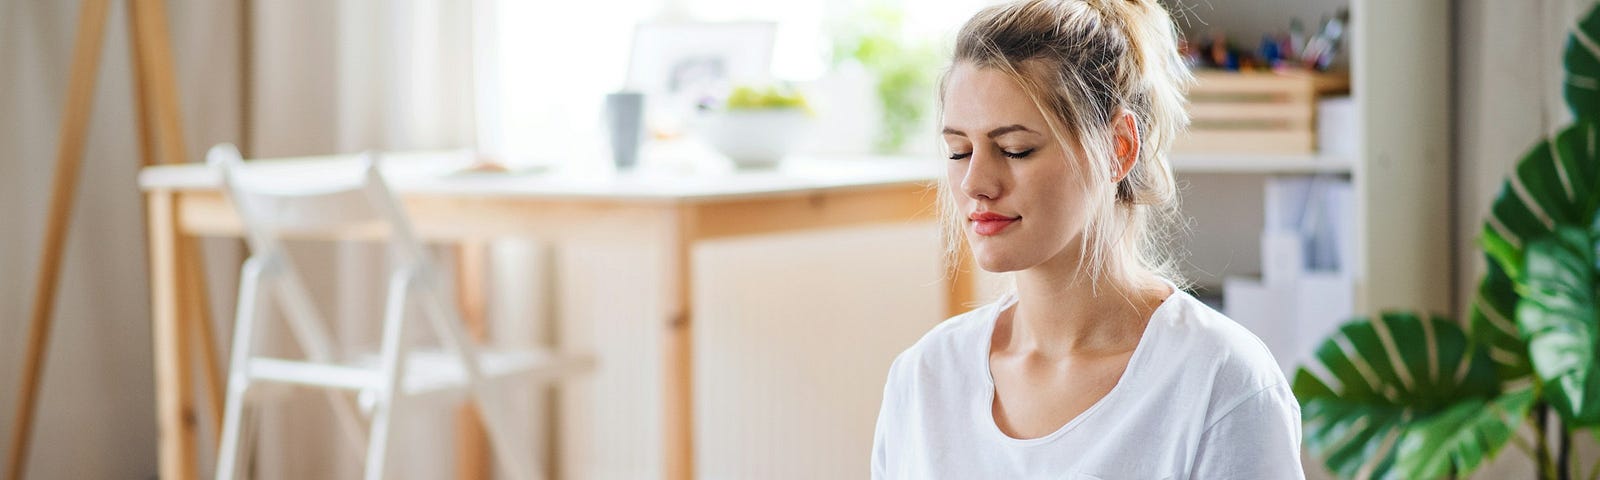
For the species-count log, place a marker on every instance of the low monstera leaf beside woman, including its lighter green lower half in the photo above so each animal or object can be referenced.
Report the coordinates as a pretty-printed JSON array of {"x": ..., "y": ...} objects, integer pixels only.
[{"x": 1402, "y": 380}]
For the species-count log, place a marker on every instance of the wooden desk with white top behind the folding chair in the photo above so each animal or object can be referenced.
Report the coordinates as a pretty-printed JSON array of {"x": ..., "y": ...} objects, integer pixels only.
[{"x": 465, "y": 209}]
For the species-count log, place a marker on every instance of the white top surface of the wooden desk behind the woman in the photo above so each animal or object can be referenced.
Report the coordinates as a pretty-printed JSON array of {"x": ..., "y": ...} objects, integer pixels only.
[{"x": 442, "y": 174}]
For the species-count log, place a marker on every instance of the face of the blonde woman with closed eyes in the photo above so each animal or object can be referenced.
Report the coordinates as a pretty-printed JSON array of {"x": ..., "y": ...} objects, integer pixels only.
[{"x": 1020, "y": 201}]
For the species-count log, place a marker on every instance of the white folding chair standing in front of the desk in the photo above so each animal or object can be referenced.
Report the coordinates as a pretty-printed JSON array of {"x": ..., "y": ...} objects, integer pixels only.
[{"x": 278, "y": 202}]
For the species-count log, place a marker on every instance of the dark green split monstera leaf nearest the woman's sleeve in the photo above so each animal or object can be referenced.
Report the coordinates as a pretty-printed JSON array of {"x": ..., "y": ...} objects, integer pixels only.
[{"x": 1375, "y": 380}]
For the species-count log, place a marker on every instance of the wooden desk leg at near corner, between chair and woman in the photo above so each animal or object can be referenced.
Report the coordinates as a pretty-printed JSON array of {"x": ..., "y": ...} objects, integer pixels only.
[{"x": 678, "y": 350}]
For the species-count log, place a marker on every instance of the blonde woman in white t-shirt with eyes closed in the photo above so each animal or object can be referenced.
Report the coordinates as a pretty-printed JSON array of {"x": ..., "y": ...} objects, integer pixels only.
[{"x": 1058, "y": 116}]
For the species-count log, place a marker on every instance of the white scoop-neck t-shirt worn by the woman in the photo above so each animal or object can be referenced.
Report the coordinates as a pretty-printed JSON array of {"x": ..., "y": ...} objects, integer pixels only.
[{"x": 1201, "y": 399}]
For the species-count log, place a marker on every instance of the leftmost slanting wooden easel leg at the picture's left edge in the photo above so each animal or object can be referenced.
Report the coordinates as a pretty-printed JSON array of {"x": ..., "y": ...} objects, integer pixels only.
[{"x": 70, "y": 156}]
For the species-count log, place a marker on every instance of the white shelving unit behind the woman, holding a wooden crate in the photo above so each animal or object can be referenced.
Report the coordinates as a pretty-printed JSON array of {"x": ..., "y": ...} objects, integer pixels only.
[{"x": 1401, "y": 87}]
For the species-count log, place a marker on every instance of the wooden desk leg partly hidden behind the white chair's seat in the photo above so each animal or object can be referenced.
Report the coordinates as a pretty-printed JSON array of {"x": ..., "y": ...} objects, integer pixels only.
[{"x": 473, "y": 454}]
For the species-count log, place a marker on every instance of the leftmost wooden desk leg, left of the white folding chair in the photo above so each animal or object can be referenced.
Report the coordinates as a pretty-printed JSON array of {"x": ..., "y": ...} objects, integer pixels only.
[{"x": 175, "y": 410}]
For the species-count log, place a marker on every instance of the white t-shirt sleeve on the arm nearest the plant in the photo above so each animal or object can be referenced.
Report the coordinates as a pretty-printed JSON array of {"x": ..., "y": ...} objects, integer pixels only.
[{"x": 1257, "y": 439}]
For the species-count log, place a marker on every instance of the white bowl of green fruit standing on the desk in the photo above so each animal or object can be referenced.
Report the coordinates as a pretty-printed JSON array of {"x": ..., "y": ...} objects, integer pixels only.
[{"x": 754, "y": 138}]
